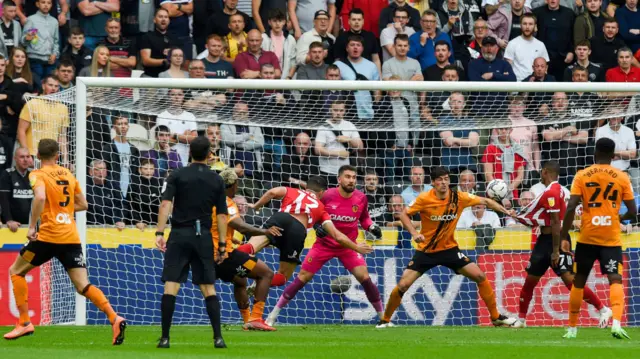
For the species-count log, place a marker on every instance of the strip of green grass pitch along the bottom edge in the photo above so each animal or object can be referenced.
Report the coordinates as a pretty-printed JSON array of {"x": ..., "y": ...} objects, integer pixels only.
[{"x": 324, "y": 341}]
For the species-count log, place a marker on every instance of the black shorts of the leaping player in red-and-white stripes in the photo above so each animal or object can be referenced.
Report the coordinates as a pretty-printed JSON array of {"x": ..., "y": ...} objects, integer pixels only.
[{"x": 291, "y": 243}]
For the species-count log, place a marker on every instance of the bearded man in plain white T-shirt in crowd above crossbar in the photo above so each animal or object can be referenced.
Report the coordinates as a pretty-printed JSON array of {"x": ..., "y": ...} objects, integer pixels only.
[{"x": 524, "y": 49}]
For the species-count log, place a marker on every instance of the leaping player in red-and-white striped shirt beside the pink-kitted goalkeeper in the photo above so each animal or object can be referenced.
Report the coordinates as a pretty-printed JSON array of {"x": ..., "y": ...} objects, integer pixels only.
[{"x": 300, "y": 209}]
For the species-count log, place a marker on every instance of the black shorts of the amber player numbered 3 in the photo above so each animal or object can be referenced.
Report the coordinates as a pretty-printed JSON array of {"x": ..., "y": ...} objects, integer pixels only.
[{"x": 38, "y": 253}]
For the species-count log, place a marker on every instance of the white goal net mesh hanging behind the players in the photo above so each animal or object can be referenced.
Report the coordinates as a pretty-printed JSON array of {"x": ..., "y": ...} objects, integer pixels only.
[{"x": 276, "y": 137}]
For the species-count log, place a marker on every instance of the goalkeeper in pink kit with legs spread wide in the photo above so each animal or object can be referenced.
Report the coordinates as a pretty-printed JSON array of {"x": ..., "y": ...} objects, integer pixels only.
[{"x": 347, "y": 207}]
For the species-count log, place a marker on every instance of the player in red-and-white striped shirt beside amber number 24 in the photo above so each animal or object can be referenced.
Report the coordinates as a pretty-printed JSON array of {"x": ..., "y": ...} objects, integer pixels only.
[{"x": 546, "y": 212}]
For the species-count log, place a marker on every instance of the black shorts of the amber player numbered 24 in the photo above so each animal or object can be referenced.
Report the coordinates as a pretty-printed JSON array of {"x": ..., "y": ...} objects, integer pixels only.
[{"x": 610, "y": 259}]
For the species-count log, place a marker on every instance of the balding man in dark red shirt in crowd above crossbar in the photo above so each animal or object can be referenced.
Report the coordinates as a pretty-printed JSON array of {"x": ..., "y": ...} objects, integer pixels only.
[{"x": 247, "y": 64}]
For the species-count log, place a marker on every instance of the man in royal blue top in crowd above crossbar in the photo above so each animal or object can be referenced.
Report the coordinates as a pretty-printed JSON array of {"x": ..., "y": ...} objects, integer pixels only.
[{"x": 422, "y": 43}]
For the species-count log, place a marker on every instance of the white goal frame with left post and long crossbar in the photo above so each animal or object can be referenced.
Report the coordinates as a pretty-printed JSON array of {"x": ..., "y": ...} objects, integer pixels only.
[{"x": 83, "y": 84}]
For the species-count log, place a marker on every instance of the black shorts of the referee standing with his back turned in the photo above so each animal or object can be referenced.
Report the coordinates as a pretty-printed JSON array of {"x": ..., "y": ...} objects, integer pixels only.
[{"x": 186, "y": 250}]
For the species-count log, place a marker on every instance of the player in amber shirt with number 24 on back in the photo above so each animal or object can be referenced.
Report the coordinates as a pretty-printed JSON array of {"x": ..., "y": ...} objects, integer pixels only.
[{"x": 600, "y": 187}]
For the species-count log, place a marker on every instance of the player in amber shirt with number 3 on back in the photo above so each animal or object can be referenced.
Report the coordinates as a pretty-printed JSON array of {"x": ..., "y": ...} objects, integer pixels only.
[{"x": 57, "y": 196}]
